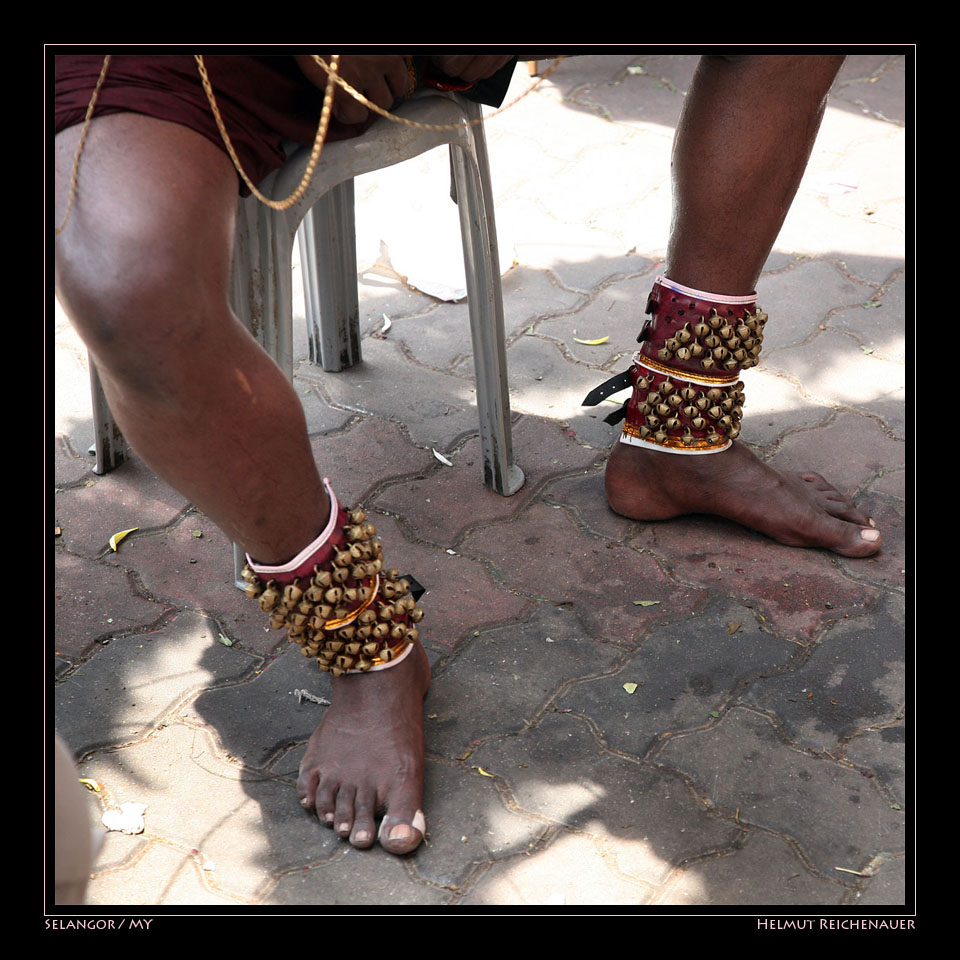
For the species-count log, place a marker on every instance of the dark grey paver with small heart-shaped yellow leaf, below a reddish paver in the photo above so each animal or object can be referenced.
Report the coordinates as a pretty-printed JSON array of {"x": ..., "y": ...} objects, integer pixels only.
[{"x": 685, "y": 673}]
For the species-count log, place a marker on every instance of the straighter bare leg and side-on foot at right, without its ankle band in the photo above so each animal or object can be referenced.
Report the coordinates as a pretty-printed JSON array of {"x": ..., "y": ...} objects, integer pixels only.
[{"x": 760, "y": 115}]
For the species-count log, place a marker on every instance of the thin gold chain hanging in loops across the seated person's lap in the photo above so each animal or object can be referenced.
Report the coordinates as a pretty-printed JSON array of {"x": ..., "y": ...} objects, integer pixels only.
[{"x": 333, "y": 78}]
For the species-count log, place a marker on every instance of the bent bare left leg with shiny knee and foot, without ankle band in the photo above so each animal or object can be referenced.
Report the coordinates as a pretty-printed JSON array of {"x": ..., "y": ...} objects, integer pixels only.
[{"x": 142, "y": 271}]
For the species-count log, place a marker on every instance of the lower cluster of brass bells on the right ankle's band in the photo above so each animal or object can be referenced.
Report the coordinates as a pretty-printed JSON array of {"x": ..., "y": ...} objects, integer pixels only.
[{"x": 717, "y": 410}]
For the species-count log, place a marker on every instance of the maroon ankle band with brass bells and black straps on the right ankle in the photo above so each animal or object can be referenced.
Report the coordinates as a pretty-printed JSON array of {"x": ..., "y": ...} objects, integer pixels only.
[{"x": 687, "y": 397}]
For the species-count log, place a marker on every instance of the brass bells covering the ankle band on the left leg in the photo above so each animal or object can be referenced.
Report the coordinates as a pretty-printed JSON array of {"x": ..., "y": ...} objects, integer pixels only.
[{"x": 354, "y": 579}]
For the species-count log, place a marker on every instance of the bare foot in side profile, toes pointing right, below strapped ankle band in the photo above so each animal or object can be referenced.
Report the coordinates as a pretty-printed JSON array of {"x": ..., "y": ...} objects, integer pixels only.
[{"x": 801, "y": 510}]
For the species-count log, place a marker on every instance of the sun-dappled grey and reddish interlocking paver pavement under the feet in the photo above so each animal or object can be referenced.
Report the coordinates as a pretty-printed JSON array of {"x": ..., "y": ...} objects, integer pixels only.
[{"x": 761, "y": 758}]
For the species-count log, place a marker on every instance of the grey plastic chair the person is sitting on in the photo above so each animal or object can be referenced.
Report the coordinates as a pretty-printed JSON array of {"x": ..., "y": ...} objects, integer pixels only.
[{"x": 262, "y": 286}]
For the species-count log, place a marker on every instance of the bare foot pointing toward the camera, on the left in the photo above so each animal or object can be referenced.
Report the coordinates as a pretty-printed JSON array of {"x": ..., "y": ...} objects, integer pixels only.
[{"x": 366, "y": 759}]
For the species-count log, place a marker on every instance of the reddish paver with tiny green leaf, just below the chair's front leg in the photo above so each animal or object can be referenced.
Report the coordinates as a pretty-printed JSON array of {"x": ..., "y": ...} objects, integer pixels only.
[{"x": 551, "y": 560}]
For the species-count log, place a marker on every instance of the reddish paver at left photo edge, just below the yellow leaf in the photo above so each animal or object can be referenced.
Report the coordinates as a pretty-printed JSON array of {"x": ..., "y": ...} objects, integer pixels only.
[{"x": 95, "y": 600}]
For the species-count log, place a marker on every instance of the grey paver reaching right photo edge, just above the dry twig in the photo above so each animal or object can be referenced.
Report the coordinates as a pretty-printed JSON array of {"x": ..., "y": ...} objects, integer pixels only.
[{"x": 836, "y": 815}]
